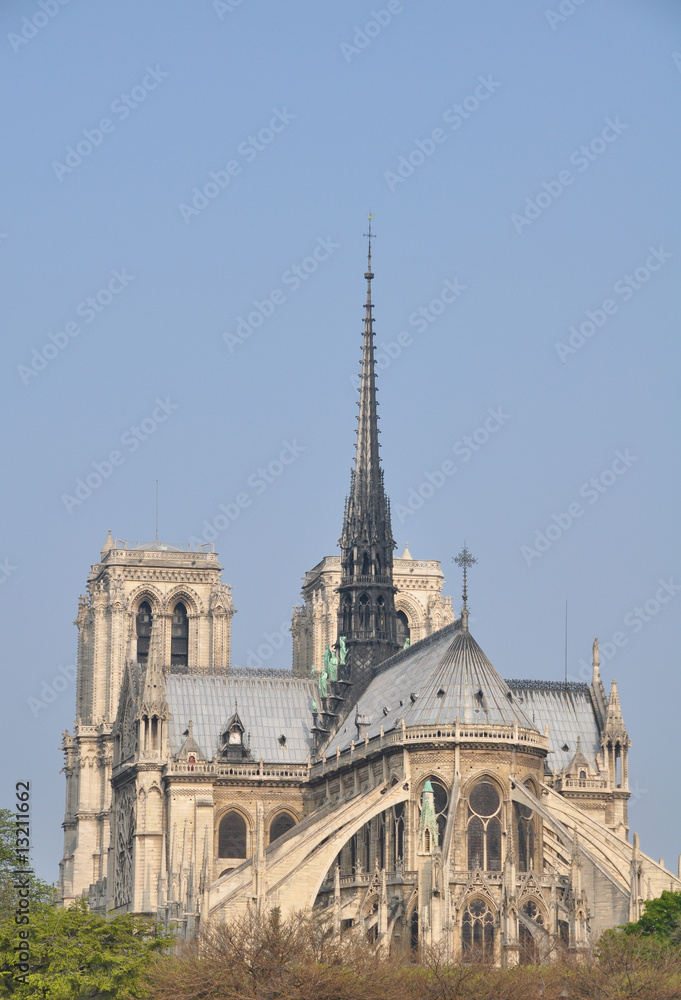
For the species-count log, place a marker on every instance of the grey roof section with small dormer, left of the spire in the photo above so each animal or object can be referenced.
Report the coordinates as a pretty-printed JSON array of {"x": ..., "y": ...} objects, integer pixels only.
[{"x": 268, "y": 706}]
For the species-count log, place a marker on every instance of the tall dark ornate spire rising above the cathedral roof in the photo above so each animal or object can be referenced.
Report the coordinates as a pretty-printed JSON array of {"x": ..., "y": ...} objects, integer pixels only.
[{"x": 367, "y": 606}]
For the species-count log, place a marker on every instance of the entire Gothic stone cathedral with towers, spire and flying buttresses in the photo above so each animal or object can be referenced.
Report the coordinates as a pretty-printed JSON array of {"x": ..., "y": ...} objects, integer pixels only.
[{"x": 391, "y": 778}]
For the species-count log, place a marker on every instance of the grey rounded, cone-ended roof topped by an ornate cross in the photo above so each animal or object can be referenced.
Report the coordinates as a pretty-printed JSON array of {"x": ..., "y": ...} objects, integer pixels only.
[{"x": 435, "y": 681}]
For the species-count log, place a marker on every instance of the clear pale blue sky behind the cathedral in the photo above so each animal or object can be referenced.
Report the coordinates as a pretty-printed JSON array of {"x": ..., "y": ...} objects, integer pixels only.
[{"x": 175, "y": 163}]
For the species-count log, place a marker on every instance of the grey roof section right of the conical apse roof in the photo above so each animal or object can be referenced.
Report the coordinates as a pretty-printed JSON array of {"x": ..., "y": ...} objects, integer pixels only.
[{"x": 570, "y": 713}]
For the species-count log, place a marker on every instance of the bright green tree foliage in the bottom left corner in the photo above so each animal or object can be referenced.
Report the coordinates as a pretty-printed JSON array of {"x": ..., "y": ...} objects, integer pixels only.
[{"x": 76, "y": 954}]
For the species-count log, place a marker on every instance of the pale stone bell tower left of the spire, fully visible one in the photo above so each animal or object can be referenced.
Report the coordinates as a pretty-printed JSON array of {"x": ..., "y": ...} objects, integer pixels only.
[{"x": 132, "y": 589}]
